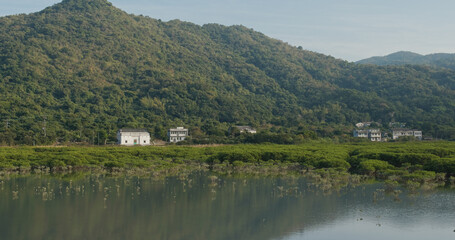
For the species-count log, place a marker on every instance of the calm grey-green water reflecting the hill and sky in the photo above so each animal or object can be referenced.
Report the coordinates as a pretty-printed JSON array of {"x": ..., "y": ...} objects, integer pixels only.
[{"x": 205, "y": 207}]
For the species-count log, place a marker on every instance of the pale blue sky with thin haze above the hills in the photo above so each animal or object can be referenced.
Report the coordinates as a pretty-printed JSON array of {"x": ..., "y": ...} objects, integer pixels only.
[{"x": 347, "y": 29}]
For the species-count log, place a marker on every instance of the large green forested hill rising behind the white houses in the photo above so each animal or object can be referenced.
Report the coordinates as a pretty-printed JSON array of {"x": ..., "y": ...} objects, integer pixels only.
[{"x": 81, "y": 69}]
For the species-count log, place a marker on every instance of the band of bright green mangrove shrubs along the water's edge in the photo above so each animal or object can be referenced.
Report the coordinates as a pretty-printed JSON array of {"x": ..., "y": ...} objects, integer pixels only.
[{"x": 413, "y": 164}]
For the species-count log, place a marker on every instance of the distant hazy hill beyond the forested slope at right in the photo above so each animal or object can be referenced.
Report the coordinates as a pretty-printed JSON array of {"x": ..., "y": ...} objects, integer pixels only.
[{"x": 443, "y": 60}]
